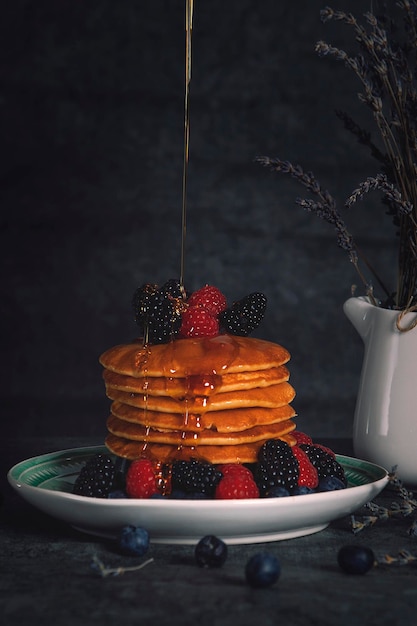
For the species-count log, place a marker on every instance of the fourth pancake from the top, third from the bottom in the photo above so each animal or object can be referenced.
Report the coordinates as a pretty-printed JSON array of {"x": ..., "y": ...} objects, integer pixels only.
[{"x": 233, "y": 420}]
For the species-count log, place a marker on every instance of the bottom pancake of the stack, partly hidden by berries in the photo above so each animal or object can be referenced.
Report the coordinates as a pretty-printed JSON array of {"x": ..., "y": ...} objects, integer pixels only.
[{"x": 244, "y": 453}]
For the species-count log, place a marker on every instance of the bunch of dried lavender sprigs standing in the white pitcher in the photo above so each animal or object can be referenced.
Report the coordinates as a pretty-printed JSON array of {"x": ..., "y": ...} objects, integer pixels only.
[{"x": 386, "y": 66}]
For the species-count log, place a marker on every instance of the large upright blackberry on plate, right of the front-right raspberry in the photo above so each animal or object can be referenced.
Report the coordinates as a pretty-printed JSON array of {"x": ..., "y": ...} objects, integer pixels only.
[{"x": 277, "y": 467}]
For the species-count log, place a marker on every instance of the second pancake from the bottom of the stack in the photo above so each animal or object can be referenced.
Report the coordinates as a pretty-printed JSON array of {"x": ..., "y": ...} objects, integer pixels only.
[{"x": 205, "y": 437}]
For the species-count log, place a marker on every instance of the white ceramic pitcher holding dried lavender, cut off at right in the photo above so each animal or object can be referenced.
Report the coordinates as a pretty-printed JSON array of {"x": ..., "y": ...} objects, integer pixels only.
[{"x": 385, "y": 421}]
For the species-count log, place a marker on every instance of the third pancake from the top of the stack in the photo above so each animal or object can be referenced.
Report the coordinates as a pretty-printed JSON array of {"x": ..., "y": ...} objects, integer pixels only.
[{"x": 271, "y": 397}]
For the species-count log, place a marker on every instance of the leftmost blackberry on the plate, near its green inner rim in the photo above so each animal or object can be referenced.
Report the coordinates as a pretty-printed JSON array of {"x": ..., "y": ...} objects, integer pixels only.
[{"x": 96, "y": 477}]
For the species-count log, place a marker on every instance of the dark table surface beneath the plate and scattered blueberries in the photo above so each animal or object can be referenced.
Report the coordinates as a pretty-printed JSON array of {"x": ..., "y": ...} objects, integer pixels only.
[{"x": 47, "y": 578}]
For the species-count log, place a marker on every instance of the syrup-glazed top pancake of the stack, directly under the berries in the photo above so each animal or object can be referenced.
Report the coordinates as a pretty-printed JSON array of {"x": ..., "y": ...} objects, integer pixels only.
[{"x": 194, "y": 357}]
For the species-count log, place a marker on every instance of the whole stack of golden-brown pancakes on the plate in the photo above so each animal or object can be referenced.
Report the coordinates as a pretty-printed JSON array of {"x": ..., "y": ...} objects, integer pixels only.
[{"x": 217, "y": 399}]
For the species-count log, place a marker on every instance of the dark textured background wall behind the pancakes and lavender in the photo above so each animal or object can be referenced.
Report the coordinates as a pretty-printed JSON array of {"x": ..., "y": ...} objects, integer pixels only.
[{"x": 91, "y": 119}]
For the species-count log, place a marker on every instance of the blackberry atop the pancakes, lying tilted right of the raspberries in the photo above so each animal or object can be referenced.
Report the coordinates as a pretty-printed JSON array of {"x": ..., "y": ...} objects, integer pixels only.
[{"x": 244, "y": 315}]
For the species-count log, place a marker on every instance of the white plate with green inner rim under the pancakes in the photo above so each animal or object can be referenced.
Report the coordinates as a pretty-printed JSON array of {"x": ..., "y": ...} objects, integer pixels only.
[{"x": 46, "y": 482}]
